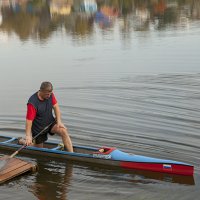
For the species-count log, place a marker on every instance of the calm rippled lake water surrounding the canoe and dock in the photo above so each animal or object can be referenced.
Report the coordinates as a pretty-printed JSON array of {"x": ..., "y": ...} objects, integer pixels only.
[{"x": 130, "y": 80}]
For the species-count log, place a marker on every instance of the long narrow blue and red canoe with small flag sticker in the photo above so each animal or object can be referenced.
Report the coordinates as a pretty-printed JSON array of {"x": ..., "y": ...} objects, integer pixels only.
[{"x": 109, "y": 157}]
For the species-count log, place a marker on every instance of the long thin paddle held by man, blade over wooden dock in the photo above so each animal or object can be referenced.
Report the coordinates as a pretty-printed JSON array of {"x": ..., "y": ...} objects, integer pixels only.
[{"x": 3, "y": 162}]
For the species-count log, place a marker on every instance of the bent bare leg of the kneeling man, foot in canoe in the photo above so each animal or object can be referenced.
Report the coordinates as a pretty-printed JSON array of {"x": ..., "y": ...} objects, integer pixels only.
[{"x": 65, "y": 136}]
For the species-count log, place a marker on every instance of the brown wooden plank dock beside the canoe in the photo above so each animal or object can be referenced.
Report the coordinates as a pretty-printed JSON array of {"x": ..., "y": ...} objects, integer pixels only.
[{"x": 14, "y": 167}]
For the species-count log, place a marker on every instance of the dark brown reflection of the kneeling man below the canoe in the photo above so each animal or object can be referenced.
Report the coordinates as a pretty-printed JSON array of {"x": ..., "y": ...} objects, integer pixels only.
[{"x": 51, "y": 183}]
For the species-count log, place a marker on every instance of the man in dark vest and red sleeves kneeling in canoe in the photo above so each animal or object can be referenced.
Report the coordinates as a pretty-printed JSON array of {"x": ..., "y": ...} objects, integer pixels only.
[{"x": 39, "y": 115}]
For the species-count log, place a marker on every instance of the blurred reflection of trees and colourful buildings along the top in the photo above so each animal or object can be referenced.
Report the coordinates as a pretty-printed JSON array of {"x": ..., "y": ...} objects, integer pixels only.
[{"x": 38, "y": 19}]
